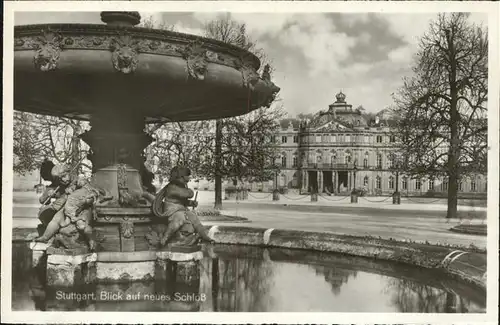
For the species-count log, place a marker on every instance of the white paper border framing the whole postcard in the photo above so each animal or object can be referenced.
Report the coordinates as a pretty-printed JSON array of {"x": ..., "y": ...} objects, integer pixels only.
[{"x": 491, "y": 8}]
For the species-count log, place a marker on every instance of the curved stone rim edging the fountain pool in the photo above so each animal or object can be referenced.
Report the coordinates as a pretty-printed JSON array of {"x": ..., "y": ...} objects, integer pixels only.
[{"x": 425, "y": 255}]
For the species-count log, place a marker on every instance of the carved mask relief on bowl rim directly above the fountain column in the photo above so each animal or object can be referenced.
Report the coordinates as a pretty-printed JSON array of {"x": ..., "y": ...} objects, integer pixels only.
[{"x": 125, "y": 53}]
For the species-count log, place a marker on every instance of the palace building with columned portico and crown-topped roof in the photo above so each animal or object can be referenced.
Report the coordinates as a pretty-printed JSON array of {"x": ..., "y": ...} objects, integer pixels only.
[{"x": 343, "y": 148}]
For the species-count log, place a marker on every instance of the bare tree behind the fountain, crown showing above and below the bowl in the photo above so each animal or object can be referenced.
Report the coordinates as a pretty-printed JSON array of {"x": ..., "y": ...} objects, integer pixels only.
[{"x": 237, "y": 148}]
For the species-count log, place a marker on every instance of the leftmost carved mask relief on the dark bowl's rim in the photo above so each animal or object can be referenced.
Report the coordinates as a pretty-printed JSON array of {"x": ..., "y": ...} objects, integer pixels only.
[{"x": 48, "y": 49}]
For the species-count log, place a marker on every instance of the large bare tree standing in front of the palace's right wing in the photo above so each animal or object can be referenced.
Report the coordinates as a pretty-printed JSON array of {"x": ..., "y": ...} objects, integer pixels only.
[{"x": 443, "y": 126}]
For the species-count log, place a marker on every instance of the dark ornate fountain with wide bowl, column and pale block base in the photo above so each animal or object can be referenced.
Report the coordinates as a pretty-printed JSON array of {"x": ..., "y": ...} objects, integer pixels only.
[{"x": 120, "y": 78}]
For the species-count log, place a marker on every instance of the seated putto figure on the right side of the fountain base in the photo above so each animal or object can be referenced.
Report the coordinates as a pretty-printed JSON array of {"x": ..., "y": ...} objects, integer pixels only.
[{"x": 171, "y": 206}]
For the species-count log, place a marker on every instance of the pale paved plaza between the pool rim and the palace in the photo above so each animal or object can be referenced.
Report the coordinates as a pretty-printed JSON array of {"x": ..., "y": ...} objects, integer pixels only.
[{"x": 409, "y": 221}]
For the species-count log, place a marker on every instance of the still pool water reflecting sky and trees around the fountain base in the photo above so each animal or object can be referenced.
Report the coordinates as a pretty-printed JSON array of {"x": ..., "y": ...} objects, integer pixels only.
[{"x": 240, "y": 281}]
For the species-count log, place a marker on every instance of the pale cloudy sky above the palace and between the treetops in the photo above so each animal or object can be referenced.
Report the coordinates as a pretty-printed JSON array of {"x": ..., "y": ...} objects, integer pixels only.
[{"x": 315, "y": 55}]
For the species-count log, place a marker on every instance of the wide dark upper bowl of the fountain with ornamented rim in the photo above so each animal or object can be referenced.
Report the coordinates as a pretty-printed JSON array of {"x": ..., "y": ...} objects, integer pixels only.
[{"x": 79, "y": 70}]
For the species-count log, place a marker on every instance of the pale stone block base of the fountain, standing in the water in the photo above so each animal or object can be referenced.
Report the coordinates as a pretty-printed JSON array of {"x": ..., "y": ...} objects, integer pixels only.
[{"x": 73, "y": 267}]
